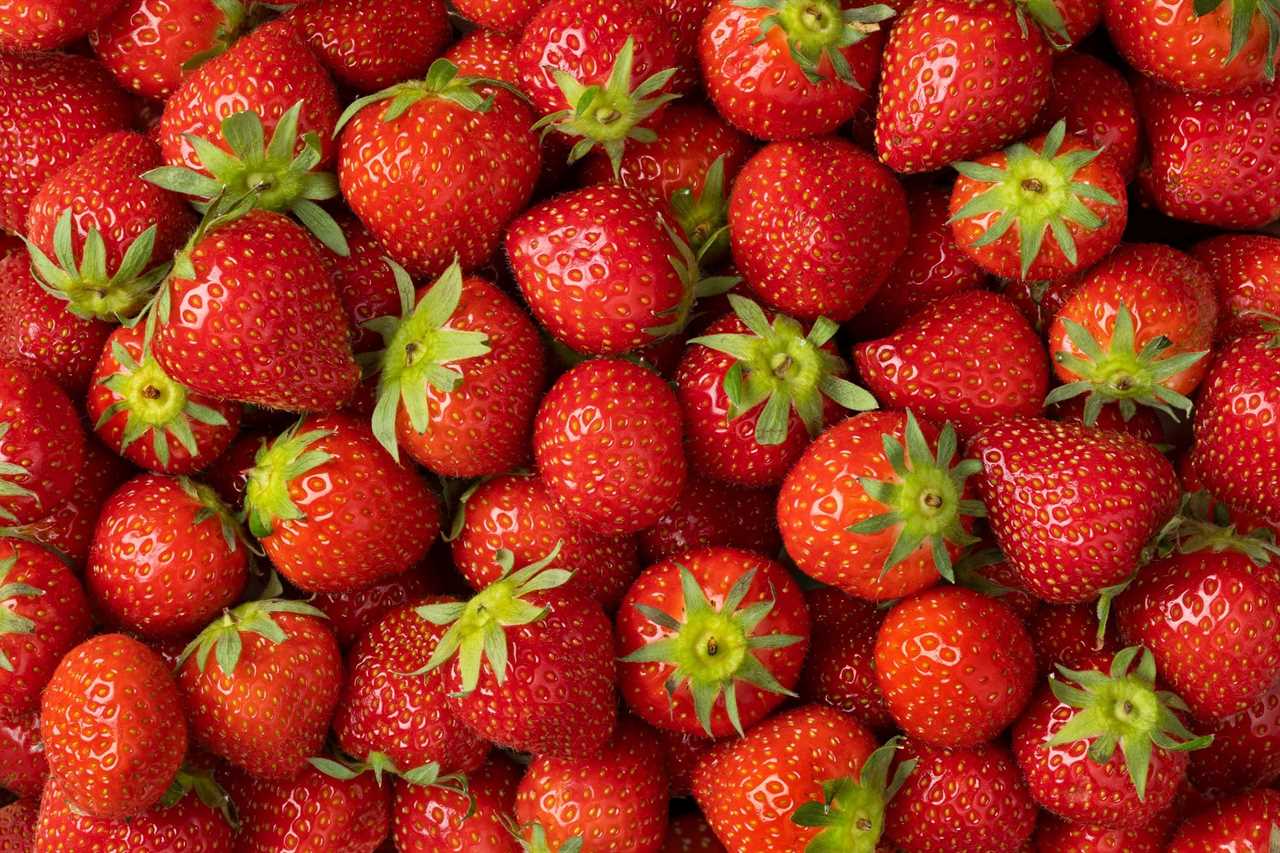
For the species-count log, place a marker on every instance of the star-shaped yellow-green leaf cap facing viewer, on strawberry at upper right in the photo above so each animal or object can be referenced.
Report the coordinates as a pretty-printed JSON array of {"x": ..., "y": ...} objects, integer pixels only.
[{"x": 1036, "y": 191}]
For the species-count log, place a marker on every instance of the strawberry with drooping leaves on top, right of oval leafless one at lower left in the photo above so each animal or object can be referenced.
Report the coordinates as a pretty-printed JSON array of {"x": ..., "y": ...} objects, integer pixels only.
[{"x": 266, "y": 701}]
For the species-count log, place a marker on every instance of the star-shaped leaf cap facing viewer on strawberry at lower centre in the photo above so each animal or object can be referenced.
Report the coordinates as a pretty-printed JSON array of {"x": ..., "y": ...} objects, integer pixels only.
[{"x": 714, "y": 649}]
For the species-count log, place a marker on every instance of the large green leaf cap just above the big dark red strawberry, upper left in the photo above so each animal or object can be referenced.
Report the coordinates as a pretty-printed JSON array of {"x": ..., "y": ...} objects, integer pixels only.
[{"x": 267, "y": 172}]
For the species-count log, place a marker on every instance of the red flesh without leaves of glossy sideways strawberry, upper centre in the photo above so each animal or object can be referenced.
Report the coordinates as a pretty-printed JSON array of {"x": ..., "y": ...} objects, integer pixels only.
[{"x": 595, "y": 267}]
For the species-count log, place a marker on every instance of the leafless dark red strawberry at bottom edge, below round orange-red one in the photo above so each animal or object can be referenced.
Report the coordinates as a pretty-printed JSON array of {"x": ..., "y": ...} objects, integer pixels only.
[{"x": 961, "y": 800}]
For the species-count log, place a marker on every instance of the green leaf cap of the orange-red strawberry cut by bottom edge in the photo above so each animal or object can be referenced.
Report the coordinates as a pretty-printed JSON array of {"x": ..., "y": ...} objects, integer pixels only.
[{"x": 852, "y": 813}]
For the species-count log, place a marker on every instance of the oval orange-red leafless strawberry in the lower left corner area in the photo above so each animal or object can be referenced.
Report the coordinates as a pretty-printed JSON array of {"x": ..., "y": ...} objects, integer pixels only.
[{"x": 115, "y": 727}]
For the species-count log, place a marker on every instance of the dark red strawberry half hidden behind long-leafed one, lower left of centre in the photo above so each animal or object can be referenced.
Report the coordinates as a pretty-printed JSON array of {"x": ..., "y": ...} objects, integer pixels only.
[{"x": 403, "y": 717}]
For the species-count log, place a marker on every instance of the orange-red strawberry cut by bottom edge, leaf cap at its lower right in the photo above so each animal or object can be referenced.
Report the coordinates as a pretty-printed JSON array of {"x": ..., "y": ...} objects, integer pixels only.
[{"x": 828, "y": 784}]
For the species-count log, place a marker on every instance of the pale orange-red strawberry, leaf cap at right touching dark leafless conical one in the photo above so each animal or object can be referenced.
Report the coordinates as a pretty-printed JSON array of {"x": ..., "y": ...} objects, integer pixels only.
[{"x": 876, "y": 507}]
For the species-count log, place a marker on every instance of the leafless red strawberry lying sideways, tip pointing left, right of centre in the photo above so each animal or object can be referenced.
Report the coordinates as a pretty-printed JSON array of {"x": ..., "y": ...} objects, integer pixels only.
[{"x": 968, "y": 359}]
